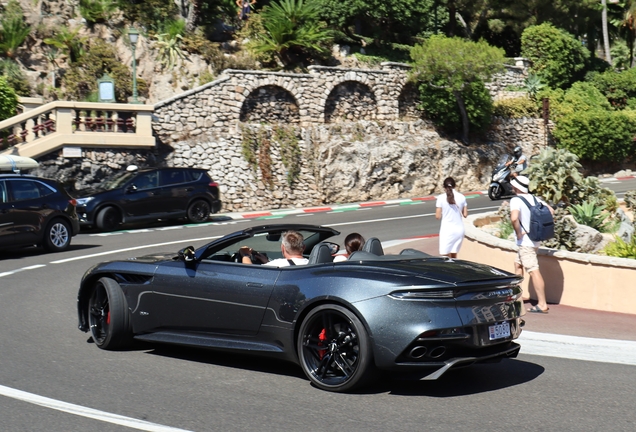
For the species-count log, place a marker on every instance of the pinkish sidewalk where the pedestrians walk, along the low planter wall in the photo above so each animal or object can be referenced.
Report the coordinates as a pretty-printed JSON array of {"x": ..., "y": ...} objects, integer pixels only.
[{"x": 565, "y": 320}]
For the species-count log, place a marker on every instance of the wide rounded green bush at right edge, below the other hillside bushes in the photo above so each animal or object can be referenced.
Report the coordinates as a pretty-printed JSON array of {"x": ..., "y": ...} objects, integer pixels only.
[{"x": 605, "y": 136}]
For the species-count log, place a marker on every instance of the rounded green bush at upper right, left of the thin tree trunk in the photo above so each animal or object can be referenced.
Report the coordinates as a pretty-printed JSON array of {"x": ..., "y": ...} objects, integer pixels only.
[{"x": 557, "y": 56}]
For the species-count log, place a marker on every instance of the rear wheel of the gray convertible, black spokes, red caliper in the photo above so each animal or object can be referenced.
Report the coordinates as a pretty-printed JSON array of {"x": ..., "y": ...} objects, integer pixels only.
[{"x": 334, "y": 349}]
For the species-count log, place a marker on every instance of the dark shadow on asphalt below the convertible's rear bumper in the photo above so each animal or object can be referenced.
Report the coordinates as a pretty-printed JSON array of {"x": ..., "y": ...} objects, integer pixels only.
[{"x": 470, "y": 380}]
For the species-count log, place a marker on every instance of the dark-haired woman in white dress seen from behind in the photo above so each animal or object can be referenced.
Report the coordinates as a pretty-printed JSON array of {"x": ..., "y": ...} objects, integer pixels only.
[{"x": 450, "y": 208}]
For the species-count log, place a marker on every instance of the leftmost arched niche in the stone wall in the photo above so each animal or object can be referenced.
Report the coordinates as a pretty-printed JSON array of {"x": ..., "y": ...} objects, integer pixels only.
[{"x": 270, "y": 104}]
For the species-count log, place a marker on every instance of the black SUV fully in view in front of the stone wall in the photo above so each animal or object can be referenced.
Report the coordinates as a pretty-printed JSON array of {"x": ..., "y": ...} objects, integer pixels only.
[{"x": 147, "y": 195}]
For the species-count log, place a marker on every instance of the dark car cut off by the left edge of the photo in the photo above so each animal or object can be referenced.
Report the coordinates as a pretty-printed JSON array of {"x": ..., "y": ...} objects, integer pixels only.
[{"x": 35, "y": 211}]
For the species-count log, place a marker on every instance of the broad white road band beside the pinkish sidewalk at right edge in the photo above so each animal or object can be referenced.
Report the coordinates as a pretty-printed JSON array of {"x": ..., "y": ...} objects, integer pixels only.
[{"x": 578, "y": 348}]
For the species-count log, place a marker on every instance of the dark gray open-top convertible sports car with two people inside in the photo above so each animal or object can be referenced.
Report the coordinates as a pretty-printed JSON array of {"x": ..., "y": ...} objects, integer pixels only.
[{"x": 341, "y": 322}]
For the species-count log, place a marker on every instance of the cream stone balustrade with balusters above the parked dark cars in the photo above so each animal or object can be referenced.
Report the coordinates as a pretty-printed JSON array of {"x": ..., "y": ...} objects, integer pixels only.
[{"x": 62, "y": 123}]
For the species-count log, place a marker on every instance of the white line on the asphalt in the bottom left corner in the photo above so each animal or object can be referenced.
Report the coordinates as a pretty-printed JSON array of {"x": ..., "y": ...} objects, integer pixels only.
[{"x": 86, "y": 412}]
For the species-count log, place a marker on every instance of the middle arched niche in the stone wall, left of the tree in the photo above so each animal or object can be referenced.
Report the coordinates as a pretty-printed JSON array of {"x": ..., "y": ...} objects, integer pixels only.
[{"x": 350, "y": 101}]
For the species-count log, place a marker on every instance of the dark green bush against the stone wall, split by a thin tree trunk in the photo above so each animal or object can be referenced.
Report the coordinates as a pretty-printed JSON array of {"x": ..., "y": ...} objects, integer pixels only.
[{"x": 440, "y": 106}]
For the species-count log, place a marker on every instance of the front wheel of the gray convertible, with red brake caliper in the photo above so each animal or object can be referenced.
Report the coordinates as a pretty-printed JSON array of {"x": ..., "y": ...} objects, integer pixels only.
[{"x": 108, "y": 316}]
